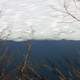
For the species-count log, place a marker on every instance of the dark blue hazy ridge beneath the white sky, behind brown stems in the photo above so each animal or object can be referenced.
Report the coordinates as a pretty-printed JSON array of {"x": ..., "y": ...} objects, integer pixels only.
[{"x": 42, "y": 50}]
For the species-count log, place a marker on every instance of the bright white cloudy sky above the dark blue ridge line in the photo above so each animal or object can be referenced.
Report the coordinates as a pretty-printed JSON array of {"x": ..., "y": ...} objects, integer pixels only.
[{"x": 45, "y": 18}]
